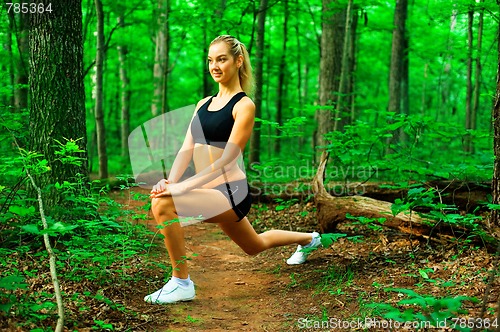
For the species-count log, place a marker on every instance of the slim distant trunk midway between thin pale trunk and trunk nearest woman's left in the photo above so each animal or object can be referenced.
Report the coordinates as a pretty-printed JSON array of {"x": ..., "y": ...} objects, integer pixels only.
[{"x": 124, "y": 93}]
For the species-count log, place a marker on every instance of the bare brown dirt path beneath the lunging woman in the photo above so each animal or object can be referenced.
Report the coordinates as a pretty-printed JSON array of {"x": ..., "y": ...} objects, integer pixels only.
[{"x": 234, "y": 291}]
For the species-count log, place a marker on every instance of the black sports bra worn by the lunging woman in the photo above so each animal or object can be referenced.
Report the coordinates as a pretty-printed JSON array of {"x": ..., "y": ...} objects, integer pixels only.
[{"x": 214, "y": 127}]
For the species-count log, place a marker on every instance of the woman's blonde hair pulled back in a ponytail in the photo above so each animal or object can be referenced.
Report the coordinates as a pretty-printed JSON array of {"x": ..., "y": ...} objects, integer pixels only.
[{"x": 236, "y": 49}]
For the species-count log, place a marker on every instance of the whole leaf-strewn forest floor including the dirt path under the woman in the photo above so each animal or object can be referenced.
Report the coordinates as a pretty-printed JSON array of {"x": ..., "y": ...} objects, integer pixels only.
[{"x": 237, "y": 292}]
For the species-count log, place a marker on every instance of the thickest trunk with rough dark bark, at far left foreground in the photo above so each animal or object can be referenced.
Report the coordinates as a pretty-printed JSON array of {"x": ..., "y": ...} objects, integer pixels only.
[{"x": 57, "y": 108}]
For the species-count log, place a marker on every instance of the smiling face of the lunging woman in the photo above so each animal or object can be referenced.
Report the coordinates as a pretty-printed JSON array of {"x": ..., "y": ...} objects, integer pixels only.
[{"x": 221, "y": 64}]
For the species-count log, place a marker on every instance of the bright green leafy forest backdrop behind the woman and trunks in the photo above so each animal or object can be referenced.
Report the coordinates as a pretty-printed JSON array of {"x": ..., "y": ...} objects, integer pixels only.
[{"x": 437, "y": 57}]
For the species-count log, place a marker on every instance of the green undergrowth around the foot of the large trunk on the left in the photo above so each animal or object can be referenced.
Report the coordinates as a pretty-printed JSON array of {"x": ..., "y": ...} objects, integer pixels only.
[{"x": 90, "y": 247}]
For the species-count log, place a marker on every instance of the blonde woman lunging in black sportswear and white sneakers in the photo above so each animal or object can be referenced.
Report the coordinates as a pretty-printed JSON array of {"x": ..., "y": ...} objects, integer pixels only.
[{"x": 219, "y": 191}]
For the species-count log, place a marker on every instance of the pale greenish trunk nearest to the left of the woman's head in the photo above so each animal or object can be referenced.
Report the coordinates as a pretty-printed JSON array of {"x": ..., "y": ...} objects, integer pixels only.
[{"x": 160, "y": 71}]
